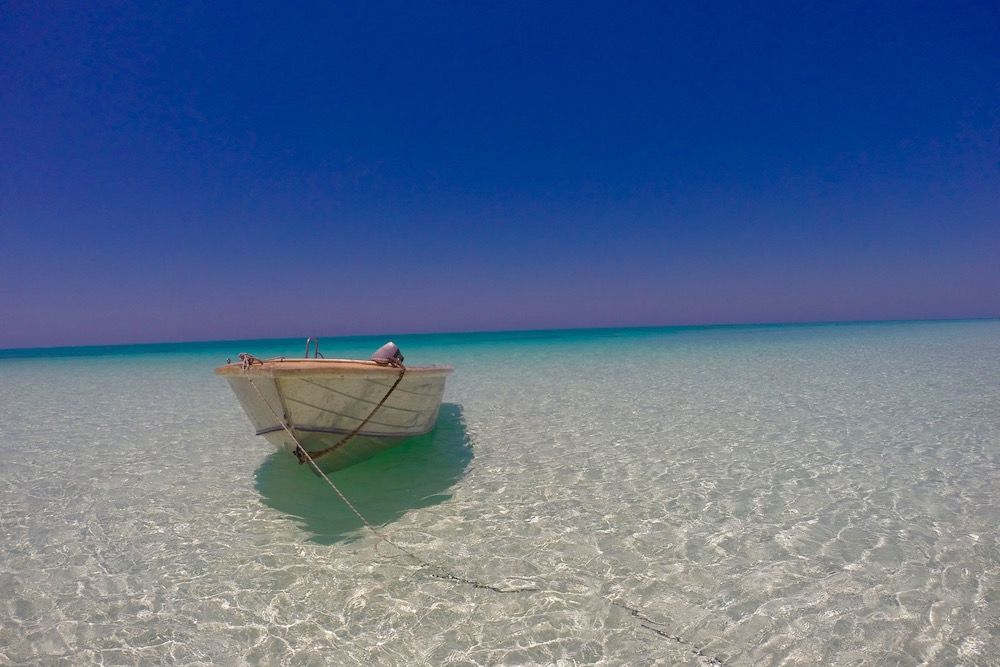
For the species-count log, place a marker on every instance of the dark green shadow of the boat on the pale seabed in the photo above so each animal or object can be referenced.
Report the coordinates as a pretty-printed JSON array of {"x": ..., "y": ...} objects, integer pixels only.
[{"x": 418, "y": 472}]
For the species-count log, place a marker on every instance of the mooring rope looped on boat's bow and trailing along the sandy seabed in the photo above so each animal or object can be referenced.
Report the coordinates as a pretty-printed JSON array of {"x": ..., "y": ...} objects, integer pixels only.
[{"x": 248, "y": 360}]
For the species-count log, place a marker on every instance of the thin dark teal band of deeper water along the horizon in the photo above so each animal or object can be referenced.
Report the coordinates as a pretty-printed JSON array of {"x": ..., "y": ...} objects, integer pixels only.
[{"x": 111, "y": 348}]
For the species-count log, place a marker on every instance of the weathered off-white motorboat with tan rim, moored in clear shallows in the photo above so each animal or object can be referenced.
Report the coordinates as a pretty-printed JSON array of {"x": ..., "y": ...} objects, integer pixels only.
[{"x": 341, "y": 411}]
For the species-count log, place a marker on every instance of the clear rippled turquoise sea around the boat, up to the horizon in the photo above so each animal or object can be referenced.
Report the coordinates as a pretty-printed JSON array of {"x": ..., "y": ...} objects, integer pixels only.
[{"x": 737, "y": 495}]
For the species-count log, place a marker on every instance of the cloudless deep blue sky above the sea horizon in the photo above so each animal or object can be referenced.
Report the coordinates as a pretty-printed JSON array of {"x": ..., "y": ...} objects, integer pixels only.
[{"x": 230, "y": 171}]
